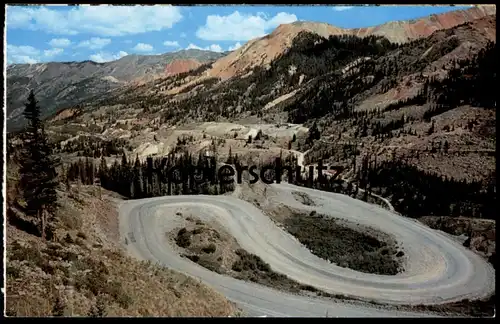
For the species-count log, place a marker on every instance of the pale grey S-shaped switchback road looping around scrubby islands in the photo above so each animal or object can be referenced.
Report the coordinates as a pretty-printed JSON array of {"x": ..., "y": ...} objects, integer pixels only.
[{"x": 437, "y": 269}]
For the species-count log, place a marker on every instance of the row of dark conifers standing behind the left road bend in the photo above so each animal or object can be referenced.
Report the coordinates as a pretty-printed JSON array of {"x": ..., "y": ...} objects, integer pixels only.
[{"x": 170, "y": 175}]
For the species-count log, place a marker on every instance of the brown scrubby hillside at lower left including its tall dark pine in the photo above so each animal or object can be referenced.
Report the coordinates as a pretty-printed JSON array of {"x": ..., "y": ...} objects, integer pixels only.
[{"x": 64, "y": 255}]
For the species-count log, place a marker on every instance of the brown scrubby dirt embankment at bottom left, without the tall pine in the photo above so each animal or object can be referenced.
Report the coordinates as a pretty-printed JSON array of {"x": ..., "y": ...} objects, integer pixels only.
[{"x": 83, "y": 271}]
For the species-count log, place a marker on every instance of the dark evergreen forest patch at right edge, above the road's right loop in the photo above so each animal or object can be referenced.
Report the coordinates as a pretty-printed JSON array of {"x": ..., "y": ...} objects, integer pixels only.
[{"x": 414, "y": 192}]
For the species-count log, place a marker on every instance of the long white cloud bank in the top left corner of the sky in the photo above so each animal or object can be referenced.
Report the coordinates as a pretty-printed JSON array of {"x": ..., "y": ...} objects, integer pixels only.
[{"x": 97, "y": 20}]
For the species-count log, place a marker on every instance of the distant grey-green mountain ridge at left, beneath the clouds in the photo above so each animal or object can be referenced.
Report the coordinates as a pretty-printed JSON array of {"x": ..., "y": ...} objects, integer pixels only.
[{"x": 59, "y": 85}]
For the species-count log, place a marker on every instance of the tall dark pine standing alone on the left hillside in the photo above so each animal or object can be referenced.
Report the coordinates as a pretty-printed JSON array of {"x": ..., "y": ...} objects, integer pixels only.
[{"x": 38, "y": 170}]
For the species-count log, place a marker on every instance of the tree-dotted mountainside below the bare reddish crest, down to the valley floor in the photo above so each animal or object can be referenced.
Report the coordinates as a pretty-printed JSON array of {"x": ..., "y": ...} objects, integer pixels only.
[{"x": 419, "y": 101}]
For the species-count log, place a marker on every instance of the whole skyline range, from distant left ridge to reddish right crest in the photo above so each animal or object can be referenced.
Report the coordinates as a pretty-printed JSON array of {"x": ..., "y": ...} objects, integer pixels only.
[{"x": 65, "y": 85}]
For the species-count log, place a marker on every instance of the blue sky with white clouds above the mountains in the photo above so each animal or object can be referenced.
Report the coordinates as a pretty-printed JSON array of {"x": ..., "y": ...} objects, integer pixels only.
[{"x": 105, "y": 33}]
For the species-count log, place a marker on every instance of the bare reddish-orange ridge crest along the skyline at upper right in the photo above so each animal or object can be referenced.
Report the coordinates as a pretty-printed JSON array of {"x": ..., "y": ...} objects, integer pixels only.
[{"x": 262, "y": 51}]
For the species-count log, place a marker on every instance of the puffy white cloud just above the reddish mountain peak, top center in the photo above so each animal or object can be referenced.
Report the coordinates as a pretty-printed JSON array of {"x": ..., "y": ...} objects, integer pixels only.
[{"x": 241, "y": 27}]
